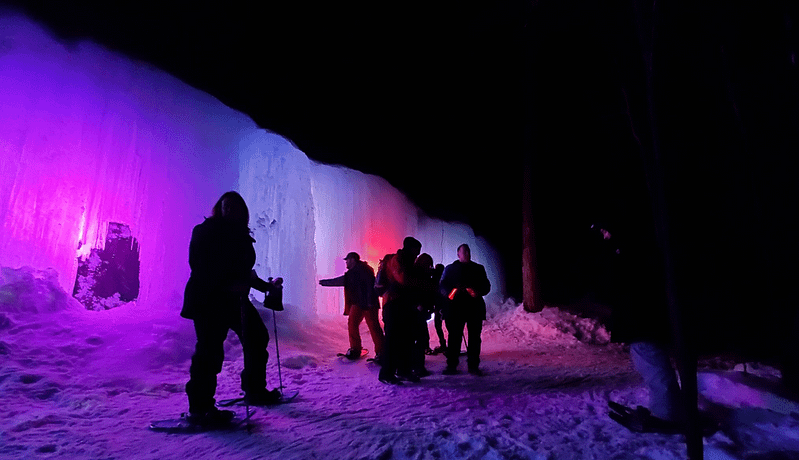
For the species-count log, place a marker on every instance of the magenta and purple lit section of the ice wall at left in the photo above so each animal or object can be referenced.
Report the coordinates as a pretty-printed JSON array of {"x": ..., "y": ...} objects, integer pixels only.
[{"x": 86, "y": 138}]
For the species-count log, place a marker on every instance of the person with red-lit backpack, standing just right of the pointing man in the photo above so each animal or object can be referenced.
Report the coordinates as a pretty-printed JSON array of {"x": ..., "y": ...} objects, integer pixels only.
[{"x": 398, "y": 282}]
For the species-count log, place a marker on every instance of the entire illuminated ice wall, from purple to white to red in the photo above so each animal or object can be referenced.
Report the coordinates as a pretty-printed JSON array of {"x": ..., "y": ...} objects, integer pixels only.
[{"x": 89, "y": 138}]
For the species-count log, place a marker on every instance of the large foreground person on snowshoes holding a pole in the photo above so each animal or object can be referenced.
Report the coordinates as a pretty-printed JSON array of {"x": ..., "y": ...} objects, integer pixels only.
[{"x": 221, "y": 257}]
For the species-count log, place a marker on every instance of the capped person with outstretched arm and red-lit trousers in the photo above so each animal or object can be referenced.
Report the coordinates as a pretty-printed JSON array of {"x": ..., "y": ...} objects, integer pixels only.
[{"x": 360, "y": 302}]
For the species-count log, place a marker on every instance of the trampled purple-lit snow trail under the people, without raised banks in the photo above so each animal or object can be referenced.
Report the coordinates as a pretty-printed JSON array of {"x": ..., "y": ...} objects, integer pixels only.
[{"x": 81, "y": 384}]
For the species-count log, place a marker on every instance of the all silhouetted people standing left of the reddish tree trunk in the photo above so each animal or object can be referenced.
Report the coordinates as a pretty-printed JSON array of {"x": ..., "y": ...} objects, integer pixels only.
[{"x": 216, "y": 299}]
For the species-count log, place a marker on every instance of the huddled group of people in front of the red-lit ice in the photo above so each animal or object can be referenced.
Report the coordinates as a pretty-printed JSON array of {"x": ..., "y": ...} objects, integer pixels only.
[{"x": 413, "y": 289}]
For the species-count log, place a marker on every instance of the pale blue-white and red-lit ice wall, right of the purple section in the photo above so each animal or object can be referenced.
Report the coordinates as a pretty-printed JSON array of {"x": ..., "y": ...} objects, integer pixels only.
[{"x": 307, "y": 216}]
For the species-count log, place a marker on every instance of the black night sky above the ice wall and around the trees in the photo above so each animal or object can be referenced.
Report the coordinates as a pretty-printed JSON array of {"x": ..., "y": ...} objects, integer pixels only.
[{"x": 433, "y": 95}]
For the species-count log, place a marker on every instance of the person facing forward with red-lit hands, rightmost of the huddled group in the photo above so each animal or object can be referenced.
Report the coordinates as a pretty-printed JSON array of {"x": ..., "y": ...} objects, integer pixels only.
[{"x": 464, "y": 283}]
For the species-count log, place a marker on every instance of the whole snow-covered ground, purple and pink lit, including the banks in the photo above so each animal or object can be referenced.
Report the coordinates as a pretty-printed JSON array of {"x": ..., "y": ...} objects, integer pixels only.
[{"x": 84, "y": 385}]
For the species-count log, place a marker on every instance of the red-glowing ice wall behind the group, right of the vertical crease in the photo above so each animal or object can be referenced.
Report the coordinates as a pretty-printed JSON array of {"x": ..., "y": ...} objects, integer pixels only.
[{"x": 364, "y": 213}]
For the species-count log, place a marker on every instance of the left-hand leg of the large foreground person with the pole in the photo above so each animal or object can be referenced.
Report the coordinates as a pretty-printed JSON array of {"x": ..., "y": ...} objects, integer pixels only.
[{"x": 206, "y": 363}]
